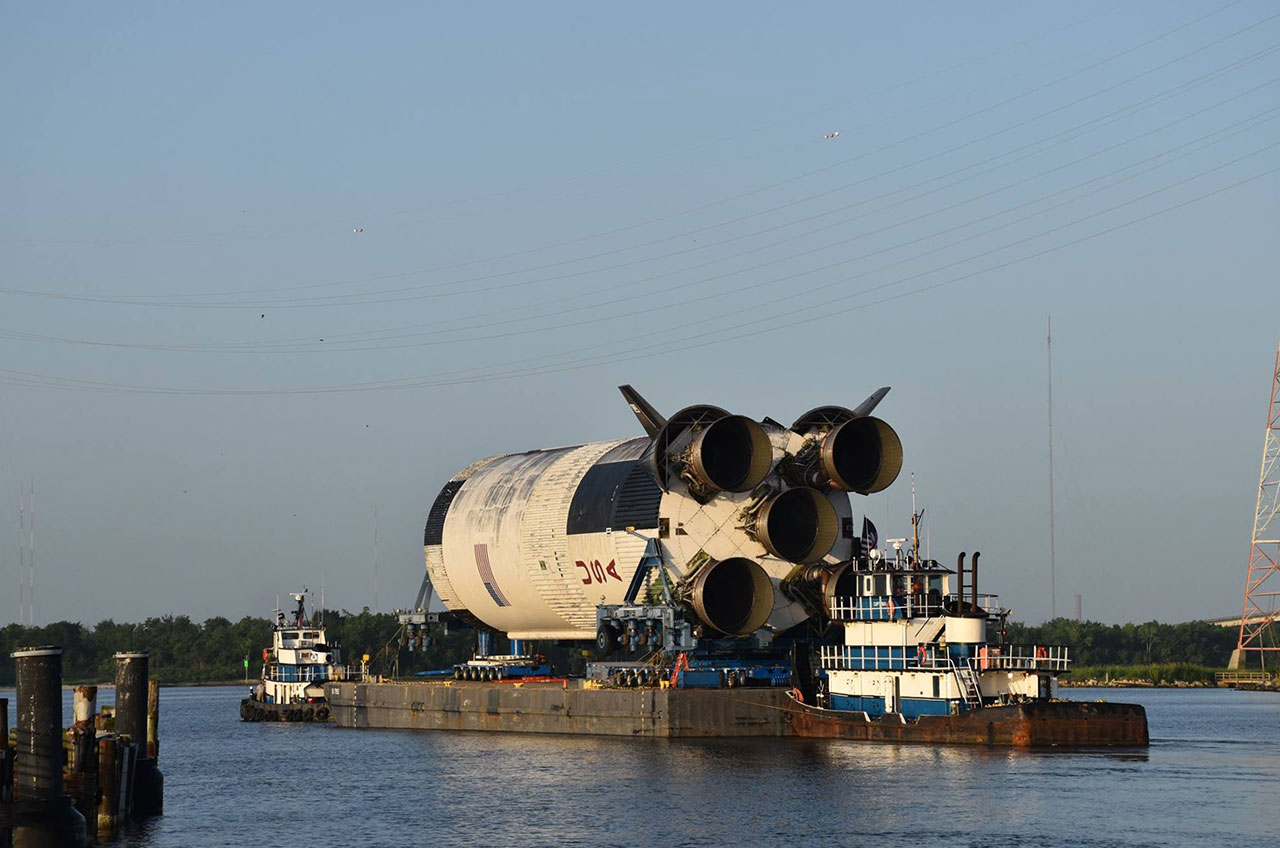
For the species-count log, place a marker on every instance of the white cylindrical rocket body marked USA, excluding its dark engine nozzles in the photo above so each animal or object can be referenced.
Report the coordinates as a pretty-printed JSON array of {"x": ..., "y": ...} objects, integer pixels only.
[{"x": 531, "y": 544}]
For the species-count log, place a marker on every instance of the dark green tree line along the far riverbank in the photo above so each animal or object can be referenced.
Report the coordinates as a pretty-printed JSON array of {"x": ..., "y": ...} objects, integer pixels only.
[{"x": 185, "y": 651}]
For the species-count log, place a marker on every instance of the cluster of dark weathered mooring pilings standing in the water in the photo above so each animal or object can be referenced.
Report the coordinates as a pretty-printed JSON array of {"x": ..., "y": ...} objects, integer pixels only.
[{"x": 66, "y": 788}]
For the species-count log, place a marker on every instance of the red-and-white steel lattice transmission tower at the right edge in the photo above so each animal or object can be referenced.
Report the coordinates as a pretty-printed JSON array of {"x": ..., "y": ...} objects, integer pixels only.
[{"x": 1263, "y": 583}]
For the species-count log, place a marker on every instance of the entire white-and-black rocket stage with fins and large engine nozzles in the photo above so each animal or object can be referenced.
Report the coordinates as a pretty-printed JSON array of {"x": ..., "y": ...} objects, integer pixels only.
[{"x": 753, "y": 521}]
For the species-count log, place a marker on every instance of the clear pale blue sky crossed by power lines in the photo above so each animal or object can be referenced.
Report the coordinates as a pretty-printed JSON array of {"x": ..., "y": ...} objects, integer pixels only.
[{"x": 271, "y": 275}]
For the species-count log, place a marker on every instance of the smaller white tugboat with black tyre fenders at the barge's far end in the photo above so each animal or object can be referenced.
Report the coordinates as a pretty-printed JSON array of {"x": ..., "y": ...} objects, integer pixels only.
[{"x": 295, "y": 671}]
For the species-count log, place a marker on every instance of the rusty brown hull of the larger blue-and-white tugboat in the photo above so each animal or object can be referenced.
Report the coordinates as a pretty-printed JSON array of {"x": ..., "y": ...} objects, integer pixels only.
[{"x": 1052, "y": 724}]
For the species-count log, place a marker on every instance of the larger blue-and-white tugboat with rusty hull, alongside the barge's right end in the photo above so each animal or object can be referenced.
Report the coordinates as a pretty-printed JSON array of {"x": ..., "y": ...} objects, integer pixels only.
[{"x": 915, "y": 659}]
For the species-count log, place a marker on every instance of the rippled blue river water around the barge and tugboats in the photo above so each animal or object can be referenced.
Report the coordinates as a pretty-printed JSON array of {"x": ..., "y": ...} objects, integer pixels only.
[{"x": 1210, "y": 778}]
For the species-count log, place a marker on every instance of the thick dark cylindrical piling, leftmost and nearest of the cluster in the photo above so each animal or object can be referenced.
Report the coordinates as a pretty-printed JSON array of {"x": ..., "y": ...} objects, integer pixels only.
[{"x": 44, "y": 817}]
